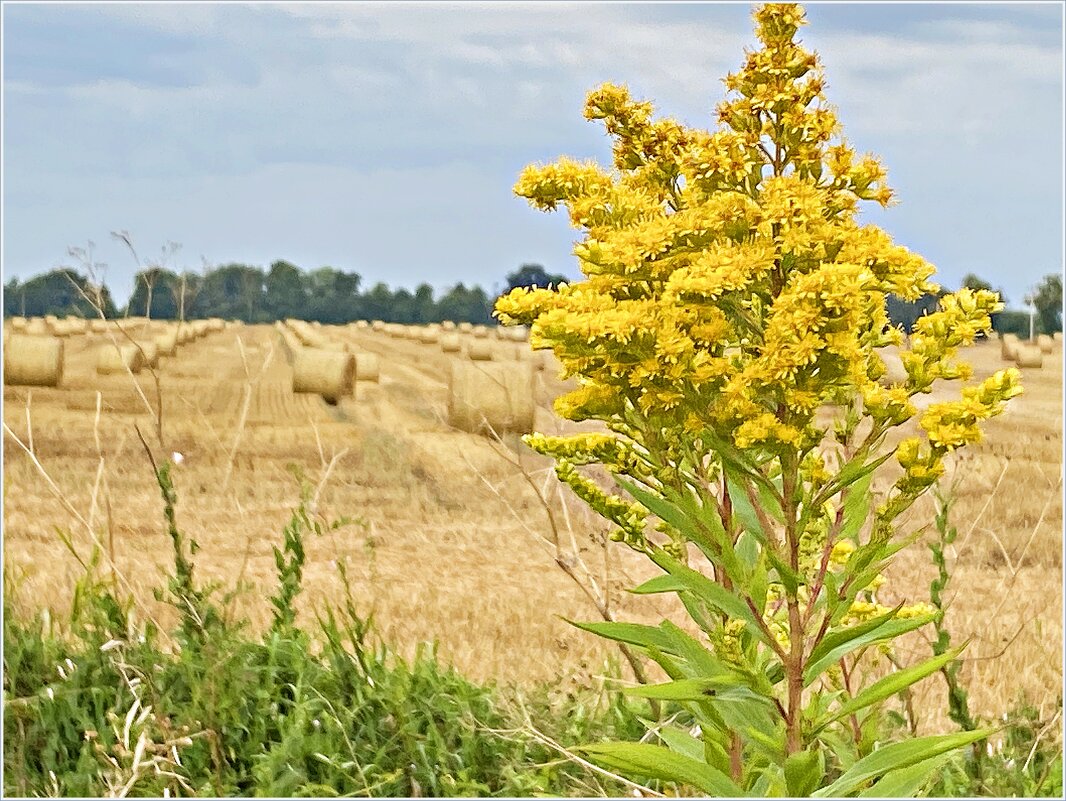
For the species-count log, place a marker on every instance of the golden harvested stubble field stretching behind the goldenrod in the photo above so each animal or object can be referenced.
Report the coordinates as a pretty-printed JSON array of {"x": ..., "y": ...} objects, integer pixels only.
[{"x": 453, "y": 543}]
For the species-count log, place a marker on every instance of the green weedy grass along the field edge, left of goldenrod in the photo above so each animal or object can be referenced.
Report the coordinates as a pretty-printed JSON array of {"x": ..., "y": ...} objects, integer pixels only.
[{"x": 322, "y": 711}]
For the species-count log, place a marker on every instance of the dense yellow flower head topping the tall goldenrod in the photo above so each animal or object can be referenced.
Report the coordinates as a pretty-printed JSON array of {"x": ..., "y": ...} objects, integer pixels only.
[{"x": 733, "y": 298}]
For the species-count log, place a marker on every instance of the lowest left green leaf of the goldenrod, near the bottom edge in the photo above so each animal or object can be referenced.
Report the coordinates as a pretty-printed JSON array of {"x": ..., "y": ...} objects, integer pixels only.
[{"x": 657, "y": 762}]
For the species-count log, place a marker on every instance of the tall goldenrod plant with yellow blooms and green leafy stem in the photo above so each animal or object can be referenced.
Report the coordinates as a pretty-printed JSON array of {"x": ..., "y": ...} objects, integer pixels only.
[{"x": 730, "y": 335}]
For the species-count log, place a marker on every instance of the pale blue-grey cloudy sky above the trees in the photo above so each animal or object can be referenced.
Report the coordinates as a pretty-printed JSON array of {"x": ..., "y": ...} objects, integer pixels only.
[{"x": 386, "y": 138}]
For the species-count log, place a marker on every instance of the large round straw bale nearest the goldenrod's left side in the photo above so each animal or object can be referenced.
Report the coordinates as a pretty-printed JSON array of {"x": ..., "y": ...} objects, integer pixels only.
[{"x": 491, "y": 398}]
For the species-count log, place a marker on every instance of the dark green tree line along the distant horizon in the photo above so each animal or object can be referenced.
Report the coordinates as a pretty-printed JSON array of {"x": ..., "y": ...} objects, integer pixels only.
[{"x": 335, "y": 297}]
